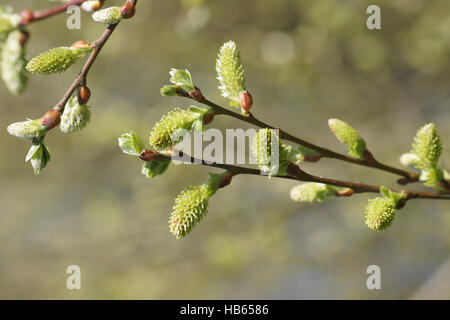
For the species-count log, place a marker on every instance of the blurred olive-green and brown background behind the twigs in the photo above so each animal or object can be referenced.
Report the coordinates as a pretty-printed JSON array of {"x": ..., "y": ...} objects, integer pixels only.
[{"x": 306, "y": 61}]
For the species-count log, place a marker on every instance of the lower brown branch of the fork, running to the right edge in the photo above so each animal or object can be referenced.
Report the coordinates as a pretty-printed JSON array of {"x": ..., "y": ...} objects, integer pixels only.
[{"x": 295, "y": 173}]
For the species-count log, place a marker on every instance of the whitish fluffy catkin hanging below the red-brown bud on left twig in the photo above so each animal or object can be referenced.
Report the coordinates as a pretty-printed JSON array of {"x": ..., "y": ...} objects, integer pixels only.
[{"x": 76, "y": 116}]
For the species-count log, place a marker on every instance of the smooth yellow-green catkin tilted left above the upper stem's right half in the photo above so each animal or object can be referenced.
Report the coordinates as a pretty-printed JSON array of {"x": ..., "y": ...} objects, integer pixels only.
[{"x": 350, "y": 137}]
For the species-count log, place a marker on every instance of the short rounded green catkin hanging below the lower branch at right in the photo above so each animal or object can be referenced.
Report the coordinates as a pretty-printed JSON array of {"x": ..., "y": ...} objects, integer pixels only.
[{"x": 380, "y": 213}]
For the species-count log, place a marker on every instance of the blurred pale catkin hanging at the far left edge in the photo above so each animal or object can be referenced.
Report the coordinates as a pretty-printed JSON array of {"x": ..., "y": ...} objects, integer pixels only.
[{"x": 13, "y": 63}]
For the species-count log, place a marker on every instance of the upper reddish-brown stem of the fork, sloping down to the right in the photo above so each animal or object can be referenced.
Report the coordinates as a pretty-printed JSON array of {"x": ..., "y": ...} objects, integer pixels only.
[{"x": 327, "y": 153}]
